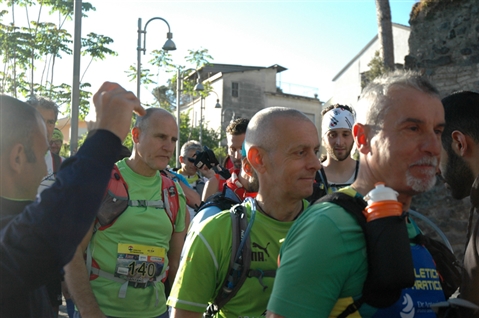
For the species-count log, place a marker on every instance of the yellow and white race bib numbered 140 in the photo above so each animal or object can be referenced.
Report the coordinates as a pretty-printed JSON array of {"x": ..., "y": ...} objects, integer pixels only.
[{"x": 139, "y": 263}]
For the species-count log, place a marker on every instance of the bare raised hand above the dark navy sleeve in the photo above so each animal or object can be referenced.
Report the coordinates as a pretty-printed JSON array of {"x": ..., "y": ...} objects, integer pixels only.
[{"x": 113, "y": 109}]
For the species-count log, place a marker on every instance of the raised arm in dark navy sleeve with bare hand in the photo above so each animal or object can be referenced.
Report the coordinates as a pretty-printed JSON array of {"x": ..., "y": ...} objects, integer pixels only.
[{"x": 49, "y": 230}]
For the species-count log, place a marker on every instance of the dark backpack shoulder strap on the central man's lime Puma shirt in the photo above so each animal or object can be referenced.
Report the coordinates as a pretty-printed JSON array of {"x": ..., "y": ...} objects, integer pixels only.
[{"x": 240, "y": 260}]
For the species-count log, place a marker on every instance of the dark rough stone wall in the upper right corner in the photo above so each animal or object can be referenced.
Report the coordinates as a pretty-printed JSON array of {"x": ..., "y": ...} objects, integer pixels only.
[{"x": 444, "y": 43}]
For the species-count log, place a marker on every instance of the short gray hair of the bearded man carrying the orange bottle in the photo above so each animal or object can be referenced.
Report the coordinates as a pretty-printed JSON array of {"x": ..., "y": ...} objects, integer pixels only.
[{"x": 374, "y": 102}]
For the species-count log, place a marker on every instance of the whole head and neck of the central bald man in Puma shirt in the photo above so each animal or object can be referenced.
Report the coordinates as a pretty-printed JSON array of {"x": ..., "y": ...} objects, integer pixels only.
[{"x": 282, "y": 145}]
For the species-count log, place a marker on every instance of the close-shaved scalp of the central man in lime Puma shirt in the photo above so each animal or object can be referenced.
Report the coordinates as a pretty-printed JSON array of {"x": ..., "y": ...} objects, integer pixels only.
[{"x": 263, "y": 129}]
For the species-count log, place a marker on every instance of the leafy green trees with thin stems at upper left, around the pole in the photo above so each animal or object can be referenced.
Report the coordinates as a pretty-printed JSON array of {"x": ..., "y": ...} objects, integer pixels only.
[{"x": 29, "y": 52}]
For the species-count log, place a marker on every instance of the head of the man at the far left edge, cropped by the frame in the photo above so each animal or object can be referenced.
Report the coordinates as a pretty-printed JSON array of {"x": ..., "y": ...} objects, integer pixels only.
[{"x": 18, "y": 122}]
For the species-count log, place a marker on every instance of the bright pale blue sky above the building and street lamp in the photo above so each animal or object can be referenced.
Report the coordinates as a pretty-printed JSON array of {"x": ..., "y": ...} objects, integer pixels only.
[{"x": 312, "y": 39}]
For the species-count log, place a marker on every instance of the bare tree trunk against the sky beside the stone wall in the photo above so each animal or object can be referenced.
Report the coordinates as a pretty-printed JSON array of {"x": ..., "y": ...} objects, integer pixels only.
[{"x": 385, "y": 33}]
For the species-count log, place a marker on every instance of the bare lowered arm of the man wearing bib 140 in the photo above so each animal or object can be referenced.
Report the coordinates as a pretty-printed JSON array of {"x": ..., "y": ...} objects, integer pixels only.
[{"x": 78, "y": 283}]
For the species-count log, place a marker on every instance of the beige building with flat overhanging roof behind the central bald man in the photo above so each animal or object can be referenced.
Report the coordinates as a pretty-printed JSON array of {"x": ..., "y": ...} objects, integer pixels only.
[{"x": 242, "y": 91}]
